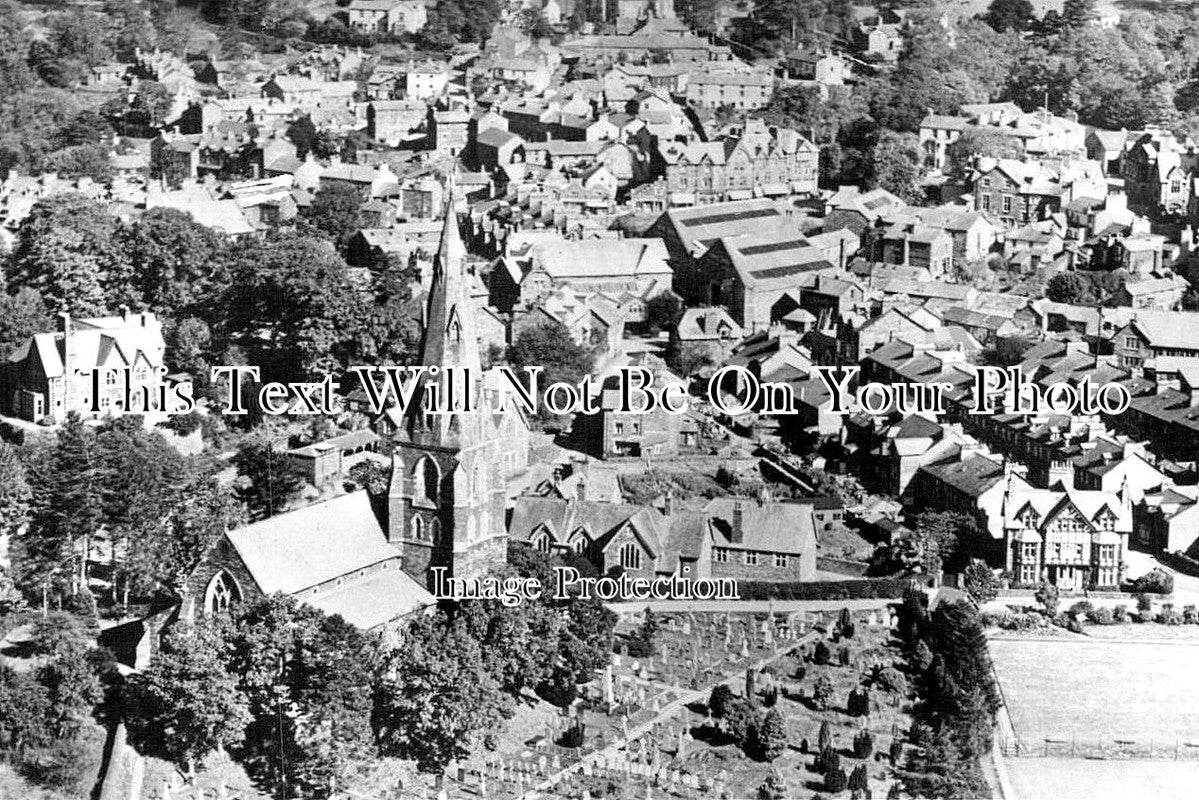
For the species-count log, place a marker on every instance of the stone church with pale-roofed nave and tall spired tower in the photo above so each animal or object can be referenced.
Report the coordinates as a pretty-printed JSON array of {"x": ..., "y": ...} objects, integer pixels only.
[{"x": 445, "y": 507}]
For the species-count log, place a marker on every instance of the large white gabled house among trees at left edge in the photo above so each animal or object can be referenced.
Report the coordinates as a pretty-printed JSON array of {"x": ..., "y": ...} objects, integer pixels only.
[{"x": 56, "y": 374}]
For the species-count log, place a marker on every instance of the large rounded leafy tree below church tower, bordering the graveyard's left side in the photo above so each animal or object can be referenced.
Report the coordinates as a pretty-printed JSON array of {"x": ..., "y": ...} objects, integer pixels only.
[{"x": 437, "y": 699}]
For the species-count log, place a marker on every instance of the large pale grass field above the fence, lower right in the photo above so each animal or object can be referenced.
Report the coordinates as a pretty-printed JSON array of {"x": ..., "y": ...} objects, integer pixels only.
[{"x": 1099, "y": 691}]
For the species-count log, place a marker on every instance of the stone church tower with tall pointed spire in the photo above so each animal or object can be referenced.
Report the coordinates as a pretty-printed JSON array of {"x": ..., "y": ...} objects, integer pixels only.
[{"x": 449, "y": 472}]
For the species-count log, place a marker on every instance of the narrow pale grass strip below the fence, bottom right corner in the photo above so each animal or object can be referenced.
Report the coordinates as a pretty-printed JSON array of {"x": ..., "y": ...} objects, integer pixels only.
[{"x": 1070, "y": 779}]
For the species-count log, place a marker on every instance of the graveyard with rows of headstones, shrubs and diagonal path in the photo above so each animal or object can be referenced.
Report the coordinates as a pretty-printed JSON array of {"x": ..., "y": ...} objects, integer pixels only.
[{"x": 829, "y": 702}]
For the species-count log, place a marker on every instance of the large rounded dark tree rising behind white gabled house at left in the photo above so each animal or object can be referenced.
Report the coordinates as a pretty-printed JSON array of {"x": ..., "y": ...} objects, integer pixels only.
[{"x": 69, "y": 249}]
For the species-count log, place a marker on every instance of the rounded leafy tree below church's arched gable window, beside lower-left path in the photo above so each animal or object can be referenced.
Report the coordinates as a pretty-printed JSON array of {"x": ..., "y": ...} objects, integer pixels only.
[{"x": 186, "y": 705}]
